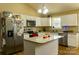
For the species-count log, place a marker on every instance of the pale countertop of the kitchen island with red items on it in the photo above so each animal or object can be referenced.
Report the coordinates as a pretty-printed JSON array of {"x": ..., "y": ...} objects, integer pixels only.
[{"x": 40, "y": 39}]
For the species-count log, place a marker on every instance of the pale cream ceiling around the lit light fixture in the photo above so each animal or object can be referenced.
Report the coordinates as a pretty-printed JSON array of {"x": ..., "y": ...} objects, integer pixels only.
[{"x": 55, "y": 7}]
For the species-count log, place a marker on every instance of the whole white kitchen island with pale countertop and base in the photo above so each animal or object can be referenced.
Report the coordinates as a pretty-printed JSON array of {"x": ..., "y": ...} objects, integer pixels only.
[{"x": 43, "y": 44}]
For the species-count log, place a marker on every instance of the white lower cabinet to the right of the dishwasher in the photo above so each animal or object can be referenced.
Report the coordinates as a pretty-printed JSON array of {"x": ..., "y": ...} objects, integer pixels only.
[{"x": 73, "y": 39}]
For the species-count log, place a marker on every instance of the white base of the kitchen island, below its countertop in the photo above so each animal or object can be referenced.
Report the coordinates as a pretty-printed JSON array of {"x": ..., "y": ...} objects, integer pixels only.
[{"x": 32, "y": 48}]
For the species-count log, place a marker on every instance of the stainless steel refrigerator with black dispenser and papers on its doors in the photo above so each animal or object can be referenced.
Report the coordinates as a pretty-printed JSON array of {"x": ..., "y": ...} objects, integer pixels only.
[{"x": 10, "y": 41}]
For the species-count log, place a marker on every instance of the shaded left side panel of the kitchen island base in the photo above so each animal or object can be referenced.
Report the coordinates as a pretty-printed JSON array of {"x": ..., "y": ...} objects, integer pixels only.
[{"x": 29, "y": 48}]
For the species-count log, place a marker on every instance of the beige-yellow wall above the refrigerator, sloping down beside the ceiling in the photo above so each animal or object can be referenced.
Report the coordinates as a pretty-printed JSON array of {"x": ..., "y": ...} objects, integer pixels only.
[{"x": 19, "y": 8}]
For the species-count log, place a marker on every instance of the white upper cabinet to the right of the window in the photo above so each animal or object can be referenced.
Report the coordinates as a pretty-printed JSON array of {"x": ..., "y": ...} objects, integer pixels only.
[{"x": 69, "y": 20}]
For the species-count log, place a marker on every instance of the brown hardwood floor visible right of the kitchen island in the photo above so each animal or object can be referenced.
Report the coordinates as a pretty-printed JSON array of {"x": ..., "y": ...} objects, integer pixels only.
[{"x": 68, "y": 50}]
